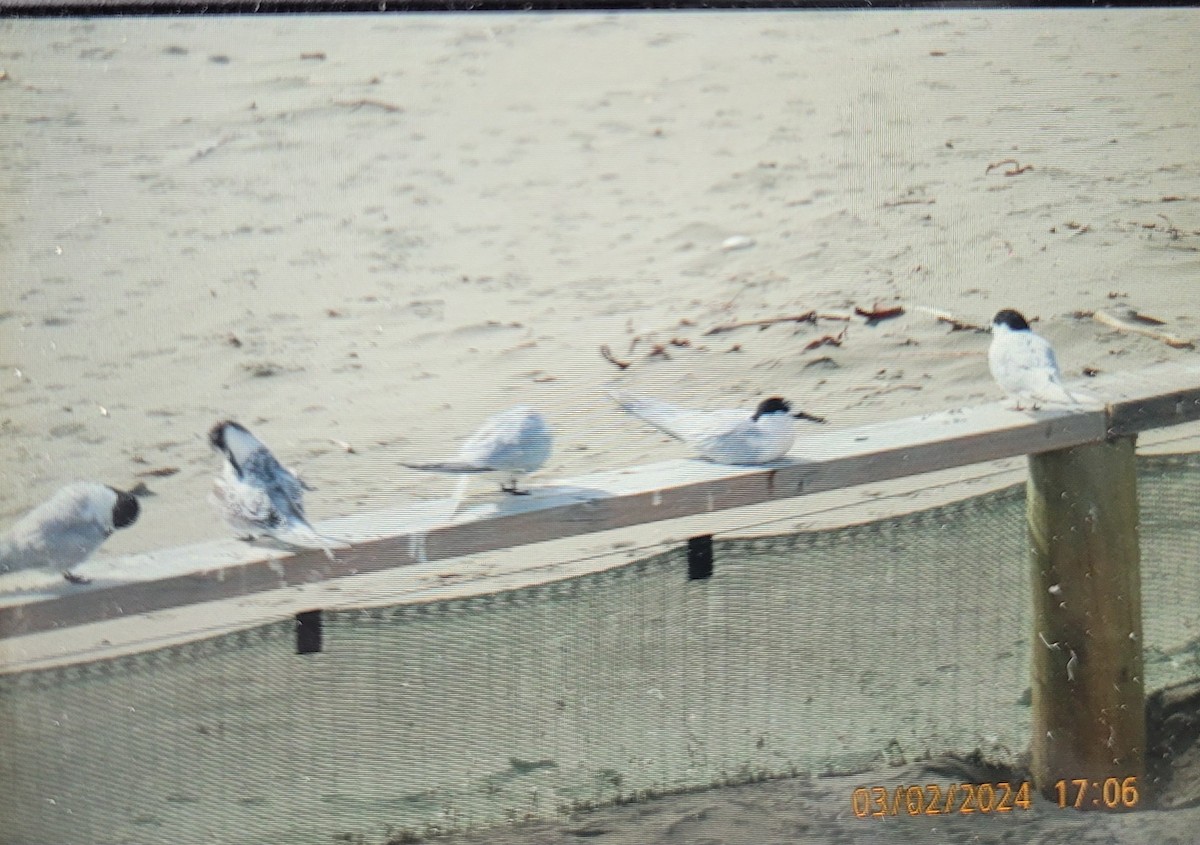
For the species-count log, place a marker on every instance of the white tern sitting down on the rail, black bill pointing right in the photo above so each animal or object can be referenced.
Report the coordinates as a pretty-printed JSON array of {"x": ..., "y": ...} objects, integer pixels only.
[{"x": 734, "y": 438}]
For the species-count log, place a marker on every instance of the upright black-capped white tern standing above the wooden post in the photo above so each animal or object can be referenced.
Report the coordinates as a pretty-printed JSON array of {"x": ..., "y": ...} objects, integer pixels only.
[{"x": 1024, "y": 364}]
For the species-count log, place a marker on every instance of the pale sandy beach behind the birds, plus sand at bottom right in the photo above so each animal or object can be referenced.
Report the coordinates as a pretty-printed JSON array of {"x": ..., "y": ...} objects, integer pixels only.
[{"x": 362, "y": 237}]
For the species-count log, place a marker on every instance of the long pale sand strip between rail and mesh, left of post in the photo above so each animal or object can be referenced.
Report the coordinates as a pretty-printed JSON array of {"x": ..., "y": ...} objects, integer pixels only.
[{"x": 505, "y": 570}]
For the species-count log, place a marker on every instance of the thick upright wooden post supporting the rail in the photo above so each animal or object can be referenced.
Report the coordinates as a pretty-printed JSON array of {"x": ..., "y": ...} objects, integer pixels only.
[{"x": 1089, "y": 732}]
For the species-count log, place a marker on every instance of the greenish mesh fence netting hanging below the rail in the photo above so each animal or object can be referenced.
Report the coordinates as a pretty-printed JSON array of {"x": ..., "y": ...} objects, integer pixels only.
[{"x": 813, "y": 652}]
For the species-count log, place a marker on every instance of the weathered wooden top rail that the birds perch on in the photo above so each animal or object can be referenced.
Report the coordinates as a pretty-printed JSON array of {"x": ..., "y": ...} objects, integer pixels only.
[{"x": 589, "y": 505}]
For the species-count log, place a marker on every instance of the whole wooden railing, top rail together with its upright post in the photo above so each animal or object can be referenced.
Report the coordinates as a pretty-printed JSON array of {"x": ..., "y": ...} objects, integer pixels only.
[{"x": 1088, "y": 679}]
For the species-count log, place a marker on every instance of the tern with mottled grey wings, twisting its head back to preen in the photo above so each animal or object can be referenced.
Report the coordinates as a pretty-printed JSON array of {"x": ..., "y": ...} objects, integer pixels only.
[{"x": 259, "y": 496}]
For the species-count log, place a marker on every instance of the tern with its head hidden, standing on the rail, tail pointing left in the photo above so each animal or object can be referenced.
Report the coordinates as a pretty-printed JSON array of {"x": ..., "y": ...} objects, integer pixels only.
[{"x": 513, "y": 444}]
